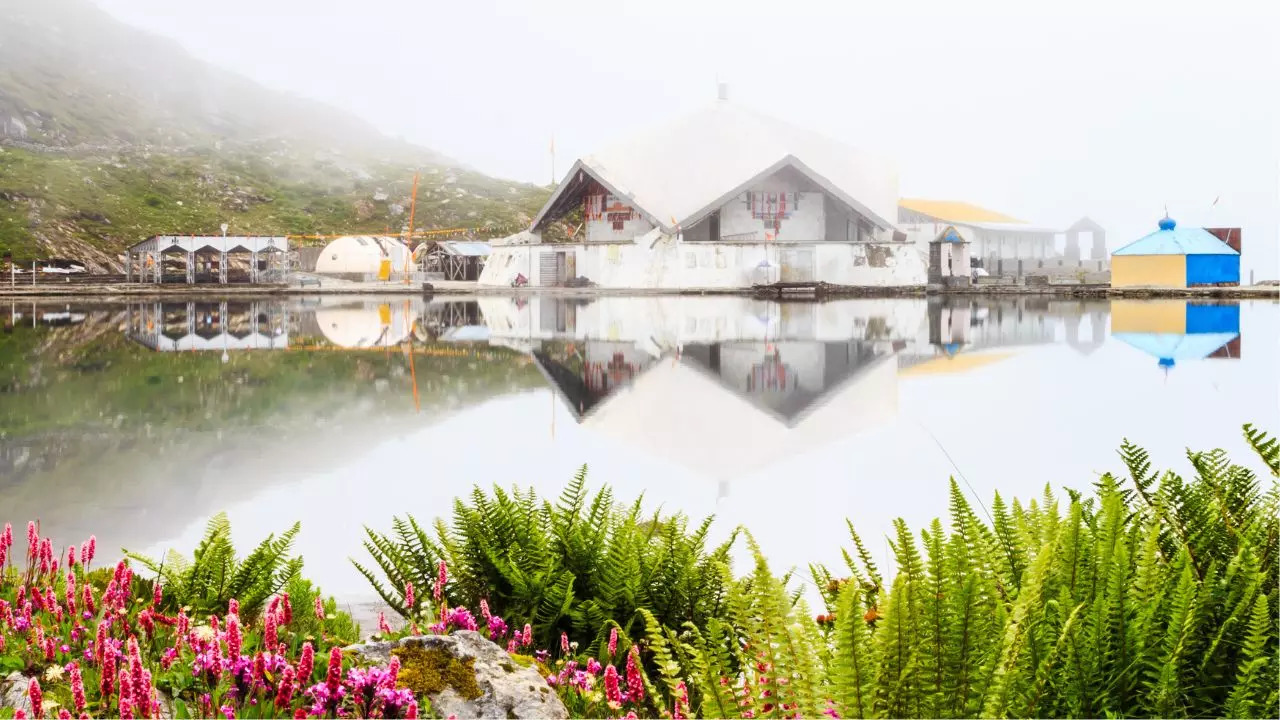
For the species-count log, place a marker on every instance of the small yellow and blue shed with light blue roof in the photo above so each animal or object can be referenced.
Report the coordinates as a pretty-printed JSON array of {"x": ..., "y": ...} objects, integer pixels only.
[{"x": 1174, "y": 257}]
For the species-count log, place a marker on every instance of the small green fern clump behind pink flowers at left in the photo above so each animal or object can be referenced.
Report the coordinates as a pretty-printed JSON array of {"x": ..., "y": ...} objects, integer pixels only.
[{"x": 214, "y": 576}]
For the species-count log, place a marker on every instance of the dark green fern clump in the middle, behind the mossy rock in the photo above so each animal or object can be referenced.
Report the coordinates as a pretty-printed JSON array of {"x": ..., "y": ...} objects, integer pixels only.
[{"x": 580, "y": 567}]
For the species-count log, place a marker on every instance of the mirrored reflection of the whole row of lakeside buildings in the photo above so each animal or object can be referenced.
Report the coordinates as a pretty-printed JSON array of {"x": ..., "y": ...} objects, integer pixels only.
[{"x": 721, "y": 385}]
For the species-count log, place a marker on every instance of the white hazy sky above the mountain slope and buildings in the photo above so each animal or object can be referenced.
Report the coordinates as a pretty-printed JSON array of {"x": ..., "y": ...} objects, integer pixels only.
[{"x": 1046, "y": 111}]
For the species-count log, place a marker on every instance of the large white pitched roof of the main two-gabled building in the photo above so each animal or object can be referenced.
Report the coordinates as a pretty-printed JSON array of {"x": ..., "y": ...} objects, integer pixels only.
[{"x": 679, "y": 172}]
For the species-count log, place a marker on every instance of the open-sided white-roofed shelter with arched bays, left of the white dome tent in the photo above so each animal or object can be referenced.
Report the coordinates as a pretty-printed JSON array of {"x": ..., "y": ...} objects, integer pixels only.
[{"x": 145, "y": 261}]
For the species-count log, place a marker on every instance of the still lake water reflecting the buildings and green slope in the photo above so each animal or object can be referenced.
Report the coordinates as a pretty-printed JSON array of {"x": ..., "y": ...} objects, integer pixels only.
[{"x": 139, "y": 422}]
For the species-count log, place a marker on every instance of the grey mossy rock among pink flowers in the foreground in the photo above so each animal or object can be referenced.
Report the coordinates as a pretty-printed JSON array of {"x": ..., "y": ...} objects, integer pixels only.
[{"x": 509, "y": 690}]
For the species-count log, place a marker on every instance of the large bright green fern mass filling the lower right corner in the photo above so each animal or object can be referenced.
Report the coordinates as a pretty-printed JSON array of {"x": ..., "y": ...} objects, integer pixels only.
[{"x": 1155, "y": 596}]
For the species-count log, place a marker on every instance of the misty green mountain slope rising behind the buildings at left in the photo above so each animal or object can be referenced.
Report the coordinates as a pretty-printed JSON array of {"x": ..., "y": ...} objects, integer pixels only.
[{"x": 109, "y": 134}]
